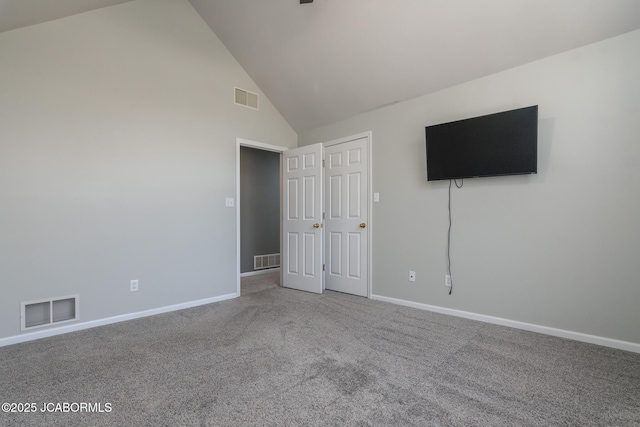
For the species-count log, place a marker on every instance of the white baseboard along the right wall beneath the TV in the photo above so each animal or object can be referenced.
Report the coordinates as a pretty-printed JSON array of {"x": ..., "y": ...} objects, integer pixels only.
[{"x": 577, "y": 336}]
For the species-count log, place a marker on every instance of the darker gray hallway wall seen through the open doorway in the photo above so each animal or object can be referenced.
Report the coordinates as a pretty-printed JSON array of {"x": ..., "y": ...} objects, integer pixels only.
[{"x": 259, "y": 205}]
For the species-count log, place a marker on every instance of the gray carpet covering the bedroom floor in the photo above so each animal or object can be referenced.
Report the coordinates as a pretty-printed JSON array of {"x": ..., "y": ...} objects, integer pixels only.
[{"x": 278, "y": 357}]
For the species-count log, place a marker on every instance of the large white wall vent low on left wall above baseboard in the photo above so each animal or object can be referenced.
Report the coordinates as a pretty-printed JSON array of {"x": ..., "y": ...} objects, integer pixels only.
[{"x": 53, "y": 311}]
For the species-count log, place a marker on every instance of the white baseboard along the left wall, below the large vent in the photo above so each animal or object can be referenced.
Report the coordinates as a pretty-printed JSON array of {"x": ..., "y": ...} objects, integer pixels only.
[{"x": 16, "y": 339}]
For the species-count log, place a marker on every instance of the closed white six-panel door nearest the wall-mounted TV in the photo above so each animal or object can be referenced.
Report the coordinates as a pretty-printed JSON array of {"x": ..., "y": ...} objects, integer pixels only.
[{"x": 347, "y": 205}]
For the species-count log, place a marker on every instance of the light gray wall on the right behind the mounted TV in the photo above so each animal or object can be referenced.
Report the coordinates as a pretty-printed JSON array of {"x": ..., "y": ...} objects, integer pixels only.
[{"x": 558, "y": 249}]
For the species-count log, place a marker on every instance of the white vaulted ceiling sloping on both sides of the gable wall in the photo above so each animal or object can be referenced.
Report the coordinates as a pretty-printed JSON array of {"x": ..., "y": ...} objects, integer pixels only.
[{"x": 326, "y": 61}]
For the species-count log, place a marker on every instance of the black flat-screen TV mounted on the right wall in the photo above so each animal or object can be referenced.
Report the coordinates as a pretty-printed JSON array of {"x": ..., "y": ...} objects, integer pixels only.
[{"x": 497, "y": 144}]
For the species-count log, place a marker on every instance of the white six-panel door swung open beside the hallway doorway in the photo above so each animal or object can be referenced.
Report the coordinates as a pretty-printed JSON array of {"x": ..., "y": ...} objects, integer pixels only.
[{"x": 302, "y": 222}]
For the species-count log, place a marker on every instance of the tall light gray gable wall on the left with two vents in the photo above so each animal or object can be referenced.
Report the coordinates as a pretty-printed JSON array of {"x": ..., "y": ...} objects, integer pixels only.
[{"x": 117, "y": 150}]
